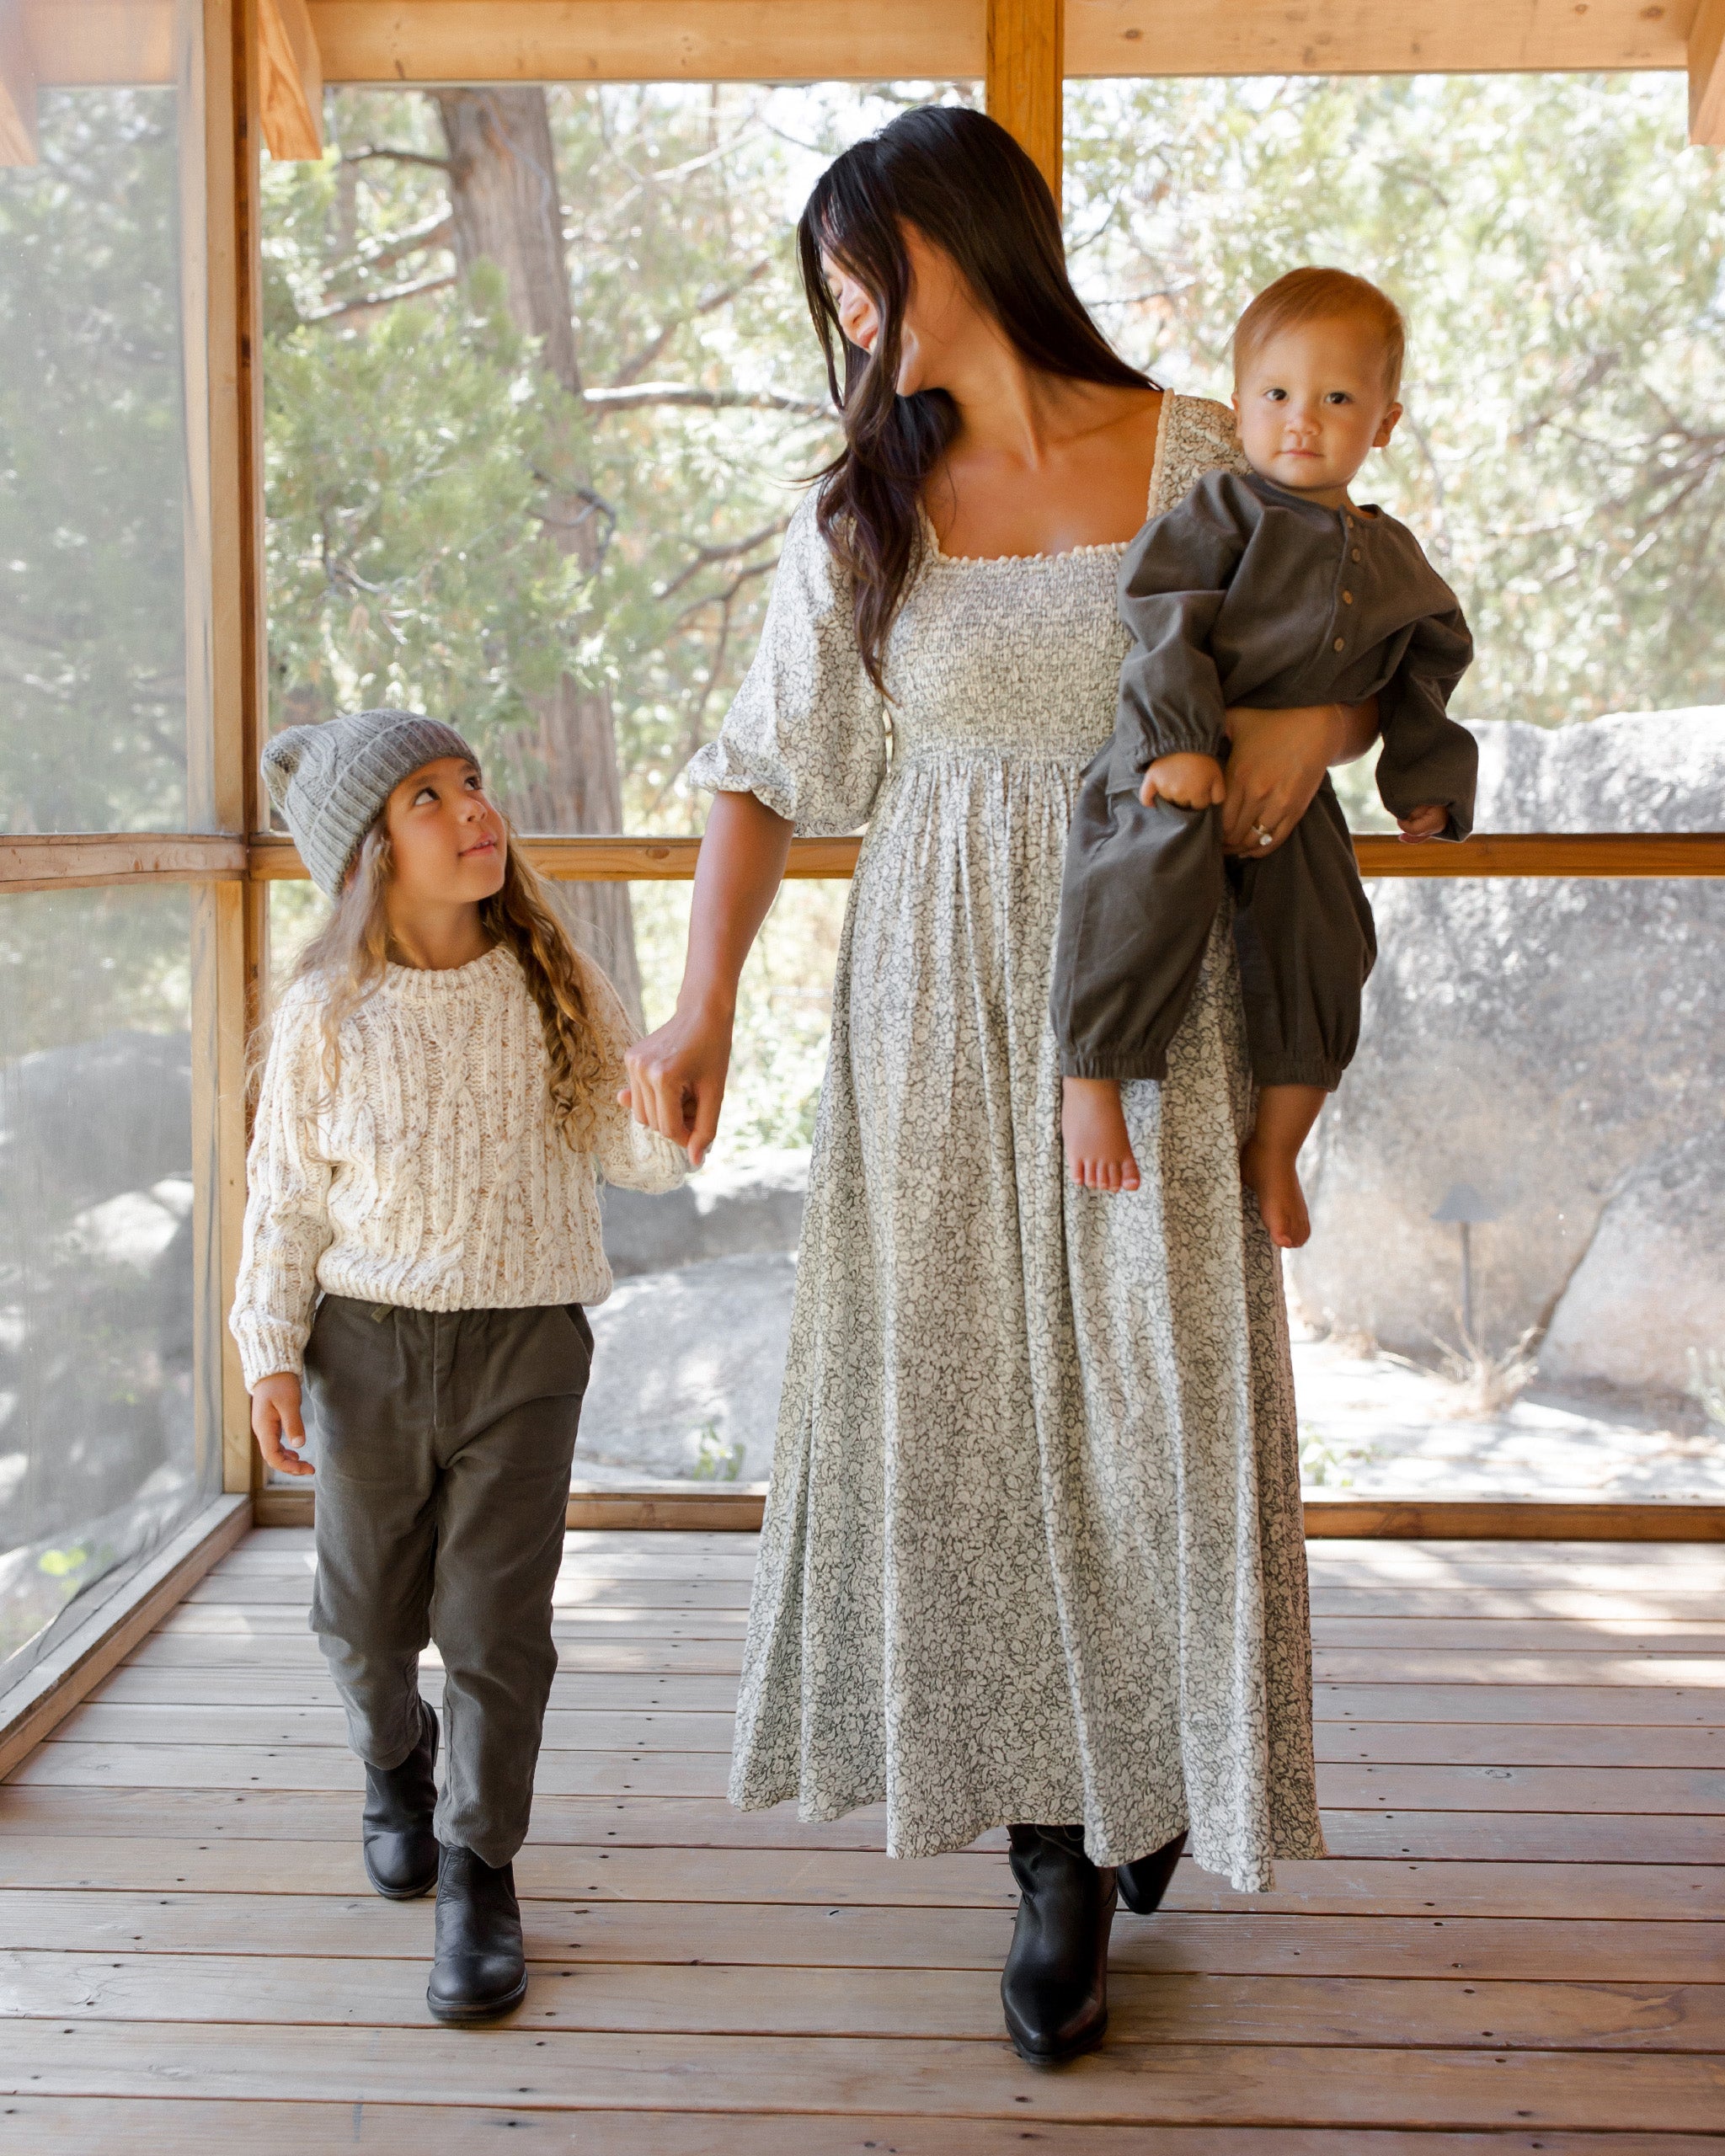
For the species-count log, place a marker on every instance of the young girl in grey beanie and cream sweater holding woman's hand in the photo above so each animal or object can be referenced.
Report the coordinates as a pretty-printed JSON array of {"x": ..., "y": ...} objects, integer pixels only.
[{"x": 422, "y": 1236}]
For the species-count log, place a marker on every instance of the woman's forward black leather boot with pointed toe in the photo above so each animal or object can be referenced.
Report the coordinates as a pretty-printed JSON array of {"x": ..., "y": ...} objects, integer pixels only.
[{"x": 1055, "y": 1985}]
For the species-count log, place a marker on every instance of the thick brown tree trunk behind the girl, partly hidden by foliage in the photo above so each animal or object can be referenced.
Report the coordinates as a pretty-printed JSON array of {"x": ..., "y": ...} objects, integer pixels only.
[{"x": 508, "y": 208}]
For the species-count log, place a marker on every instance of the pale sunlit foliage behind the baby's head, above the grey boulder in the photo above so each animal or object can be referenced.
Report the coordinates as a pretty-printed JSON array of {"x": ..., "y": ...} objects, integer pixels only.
[{"x": 1558, "y": 253}]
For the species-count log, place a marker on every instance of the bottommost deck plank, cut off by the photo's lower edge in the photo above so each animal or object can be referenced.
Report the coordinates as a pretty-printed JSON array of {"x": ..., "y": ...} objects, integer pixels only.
[{"x": 174, "y": 2127}]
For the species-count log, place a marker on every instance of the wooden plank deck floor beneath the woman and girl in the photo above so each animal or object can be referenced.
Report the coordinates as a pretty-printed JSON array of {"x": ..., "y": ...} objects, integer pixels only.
[{"x": 1519, "y": 1941}]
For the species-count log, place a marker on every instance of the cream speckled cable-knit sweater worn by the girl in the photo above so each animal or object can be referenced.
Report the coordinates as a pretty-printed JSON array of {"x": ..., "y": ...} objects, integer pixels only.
[{"x": 434, "y": 1176}]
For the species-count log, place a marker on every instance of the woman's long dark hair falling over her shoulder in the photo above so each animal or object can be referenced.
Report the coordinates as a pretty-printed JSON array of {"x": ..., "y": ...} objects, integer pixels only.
[{"x": 974, "y": 193}]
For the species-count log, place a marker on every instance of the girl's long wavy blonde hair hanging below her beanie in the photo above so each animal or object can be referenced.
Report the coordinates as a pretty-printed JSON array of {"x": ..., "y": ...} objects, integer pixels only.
[{"x": 353, "y": 950}]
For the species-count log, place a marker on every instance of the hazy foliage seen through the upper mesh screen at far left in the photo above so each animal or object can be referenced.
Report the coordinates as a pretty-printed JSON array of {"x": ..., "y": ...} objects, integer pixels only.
[{"x": 94, "y": 471}]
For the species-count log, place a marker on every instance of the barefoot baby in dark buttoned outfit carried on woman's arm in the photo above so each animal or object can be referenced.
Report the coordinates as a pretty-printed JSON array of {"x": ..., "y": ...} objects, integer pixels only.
[{"x": 1267, "y": 588}]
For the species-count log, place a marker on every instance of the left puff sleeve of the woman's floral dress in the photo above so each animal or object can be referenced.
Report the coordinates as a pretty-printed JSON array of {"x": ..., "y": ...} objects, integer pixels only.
[{"x": 808, "y": 732}]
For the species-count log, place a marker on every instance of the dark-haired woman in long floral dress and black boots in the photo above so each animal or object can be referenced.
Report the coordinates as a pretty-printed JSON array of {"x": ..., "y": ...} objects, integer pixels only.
[{"x": 1034, "y": 1549}]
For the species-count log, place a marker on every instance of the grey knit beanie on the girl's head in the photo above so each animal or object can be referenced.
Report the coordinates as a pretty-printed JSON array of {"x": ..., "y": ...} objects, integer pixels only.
[{"x": 331, "y": 782}]
